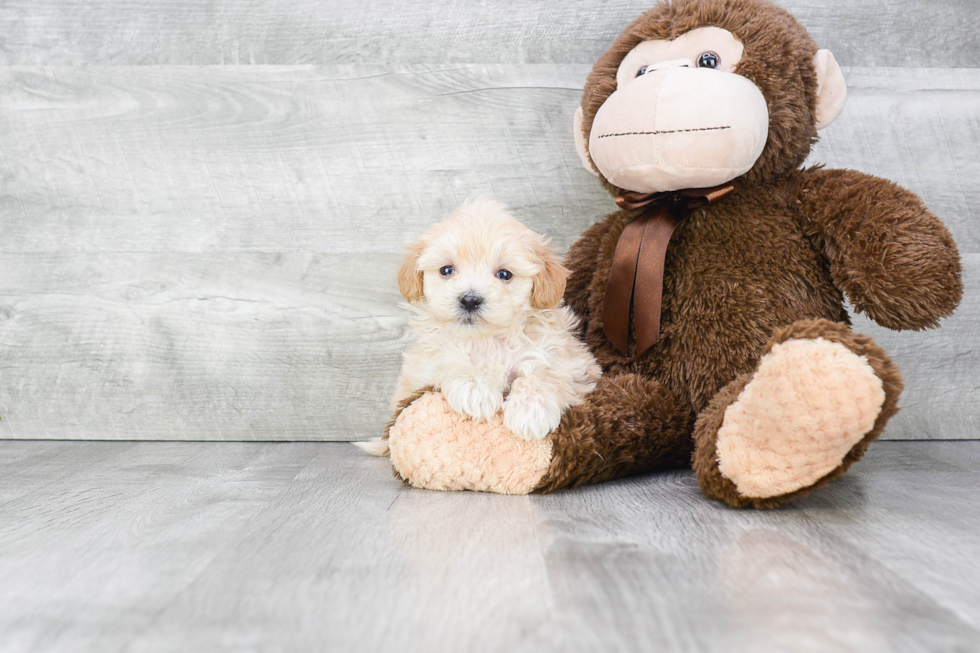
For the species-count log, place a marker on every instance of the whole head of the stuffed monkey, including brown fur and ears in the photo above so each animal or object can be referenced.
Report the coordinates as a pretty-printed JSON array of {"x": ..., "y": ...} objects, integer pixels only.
[{"x": 697, "y": 107}]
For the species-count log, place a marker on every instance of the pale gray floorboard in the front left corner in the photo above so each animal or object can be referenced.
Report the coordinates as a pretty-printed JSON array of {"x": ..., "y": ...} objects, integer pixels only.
[{"x": 176, "y": 508}]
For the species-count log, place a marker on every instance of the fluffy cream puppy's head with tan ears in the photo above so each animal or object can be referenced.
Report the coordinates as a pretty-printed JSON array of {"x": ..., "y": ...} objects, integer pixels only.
[{"x": 481, "y": 269}]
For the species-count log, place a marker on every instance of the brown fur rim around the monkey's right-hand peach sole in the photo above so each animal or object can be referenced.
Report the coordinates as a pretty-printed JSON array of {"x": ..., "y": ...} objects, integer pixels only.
[{"x": 716, "y": 486}]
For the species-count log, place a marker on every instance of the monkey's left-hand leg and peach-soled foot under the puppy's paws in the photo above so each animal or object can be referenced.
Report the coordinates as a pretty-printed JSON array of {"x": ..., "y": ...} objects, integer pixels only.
[{"x": 627, "y": 425}]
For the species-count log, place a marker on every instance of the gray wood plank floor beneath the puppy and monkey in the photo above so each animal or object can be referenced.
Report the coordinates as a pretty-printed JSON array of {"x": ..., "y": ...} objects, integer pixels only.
[{"x": 155, "y": 546}]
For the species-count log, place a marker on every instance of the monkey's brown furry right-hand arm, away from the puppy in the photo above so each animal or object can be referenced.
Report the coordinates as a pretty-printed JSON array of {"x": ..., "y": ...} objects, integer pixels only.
[{"x": 894, "y": 259}]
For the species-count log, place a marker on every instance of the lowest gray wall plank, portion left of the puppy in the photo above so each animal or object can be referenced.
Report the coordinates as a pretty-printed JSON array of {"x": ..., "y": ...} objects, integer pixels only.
[{"x": 218, "y": 346}]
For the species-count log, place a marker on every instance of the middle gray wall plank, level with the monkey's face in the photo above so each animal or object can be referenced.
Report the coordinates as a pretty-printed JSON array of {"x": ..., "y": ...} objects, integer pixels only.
[{"x": 360, "y": 158}]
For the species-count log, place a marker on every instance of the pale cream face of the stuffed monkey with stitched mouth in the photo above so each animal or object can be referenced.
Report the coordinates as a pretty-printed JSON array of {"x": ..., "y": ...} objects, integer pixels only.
[{"x": 680, "y": 116}]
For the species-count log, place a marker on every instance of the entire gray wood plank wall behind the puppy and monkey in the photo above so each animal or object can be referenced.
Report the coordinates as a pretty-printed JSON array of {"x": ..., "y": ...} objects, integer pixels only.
[{"x": 203, "y": 203}]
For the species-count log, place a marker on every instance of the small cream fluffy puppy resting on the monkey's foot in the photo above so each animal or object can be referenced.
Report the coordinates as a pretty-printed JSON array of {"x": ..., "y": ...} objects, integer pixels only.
[{"x": 485, "y": 292}]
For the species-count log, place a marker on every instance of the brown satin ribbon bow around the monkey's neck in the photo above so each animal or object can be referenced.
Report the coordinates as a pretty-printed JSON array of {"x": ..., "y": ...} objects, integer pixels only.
[{"x": 637, "y": 274}]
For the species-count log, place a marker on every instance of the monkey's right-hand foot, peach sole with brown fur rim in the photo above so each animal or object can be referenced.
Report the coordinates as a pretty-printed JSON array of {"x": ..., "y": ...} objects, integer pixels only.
[{"x": 810, "y": 408}]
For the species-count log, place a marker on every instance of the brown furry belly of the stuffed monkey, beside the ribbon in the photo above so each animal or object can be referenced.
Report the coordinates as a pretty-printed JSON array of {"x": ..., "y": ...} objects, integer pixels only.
[{"x": 723, "y": 297}]
